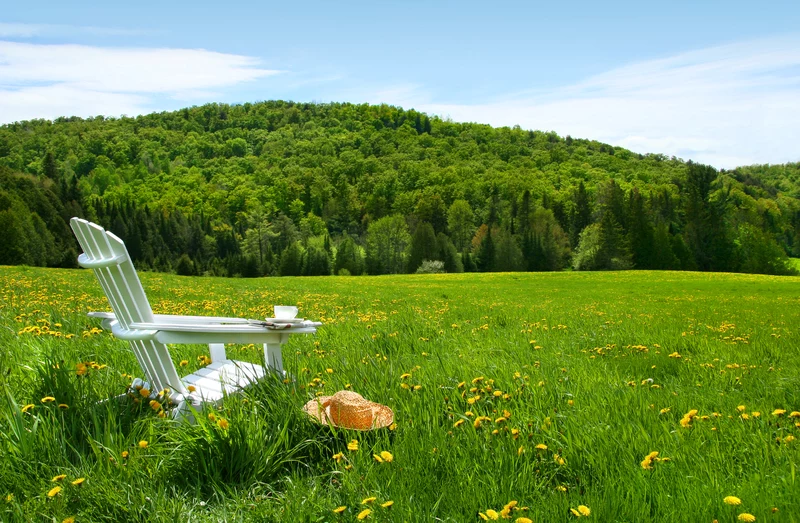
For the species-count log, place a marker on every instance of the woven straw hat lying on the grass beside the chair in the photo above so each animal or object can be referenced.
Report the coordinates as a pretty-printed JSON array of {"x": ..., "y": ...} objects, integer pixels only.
[{"x": 349, "y": 410}]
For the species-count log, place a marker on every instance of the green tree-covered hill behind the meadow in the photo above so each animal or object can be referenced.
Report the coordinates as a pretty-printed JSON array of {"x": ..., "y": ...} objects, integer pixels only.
[{"x": 280, "y": 188}]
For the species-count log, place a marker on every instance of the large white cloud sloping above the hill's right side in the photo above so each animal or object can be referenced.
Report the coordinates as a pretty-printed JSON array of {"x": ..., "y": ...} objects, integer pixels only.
[{"x": 728, "y": 105}]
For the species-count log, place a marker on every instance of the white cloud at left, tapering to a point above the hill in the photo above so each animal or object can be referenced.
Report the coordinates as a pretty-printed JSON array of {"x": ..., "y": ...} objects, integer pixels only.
[{"x": 47, "y": 81}]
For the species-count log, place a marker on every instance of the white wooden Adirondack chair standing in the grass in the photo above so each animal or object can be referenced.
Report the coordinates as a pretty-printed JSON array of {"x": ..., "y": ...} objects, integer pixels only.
[{"x": 133, "y": 320}]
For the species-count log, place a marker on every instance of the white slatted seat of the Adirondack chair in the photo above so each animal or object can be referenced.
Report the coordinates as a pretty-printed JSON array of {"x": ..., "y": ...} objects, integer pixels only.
[{"x": 211, "y": 383}]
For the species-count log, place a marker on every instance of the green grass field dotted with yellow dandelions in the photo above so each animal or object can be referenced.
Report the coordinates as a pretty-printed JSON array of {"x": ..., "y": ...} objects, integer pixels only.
[{"x": 544, "y": 390}]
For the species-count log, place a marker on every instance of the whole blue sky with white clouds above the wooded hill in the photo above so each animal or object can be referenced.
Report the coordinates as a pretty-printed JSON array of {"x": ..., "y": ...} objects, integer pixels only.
[{"x": 717, "y": 82}]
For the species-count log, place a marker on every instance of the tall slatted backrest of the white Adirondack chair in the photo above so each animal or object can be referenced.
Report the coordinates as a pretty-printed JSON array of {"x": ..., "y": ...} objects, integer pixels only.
[{"x": 106, "y": 254}]
